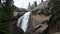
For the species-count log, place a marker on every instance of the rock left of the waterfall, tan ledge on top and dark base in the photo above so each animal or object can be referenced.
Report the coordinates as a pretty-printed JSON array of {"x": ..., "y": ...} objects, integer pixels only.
[{"x": 18, "y": 12}]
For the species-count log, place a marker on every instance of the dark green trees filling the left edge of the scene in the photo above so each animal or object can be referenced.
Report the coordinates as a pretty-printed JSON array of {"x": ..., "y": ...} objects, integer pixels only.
[{"x": 6, "y": 14}]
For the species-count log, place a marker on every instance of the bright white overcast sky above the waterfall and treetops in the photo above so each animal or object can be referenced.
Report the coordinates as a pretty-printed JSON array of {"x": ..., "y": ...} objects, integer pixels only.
[{"x": 24, "y": 3}]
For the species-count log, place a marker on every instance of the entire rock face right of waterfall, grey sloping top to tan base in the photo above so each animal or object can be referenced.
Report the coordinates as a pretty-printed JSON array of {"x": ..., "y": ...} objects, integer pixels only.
[{"x": 38, "y": 22}]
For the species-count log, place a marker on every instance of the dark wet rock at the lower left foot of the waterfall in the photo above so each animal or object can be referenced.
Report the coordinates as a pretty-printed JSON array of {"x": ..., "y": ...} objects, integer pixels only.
[{"x": 15, "y": 29}]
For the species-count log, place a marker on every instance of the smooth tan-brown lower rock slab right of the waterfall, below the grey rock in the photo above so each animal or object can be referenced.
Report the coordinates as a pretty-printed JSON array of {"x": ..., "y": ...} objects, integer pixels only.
[{"x": 37, "y": 24}]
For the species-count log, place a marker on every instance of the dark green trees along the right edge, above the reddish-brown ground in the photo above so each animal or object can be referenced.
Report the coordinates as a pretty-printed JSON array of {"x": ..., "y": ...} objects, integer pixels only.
[{"x": 56, "y": 11}]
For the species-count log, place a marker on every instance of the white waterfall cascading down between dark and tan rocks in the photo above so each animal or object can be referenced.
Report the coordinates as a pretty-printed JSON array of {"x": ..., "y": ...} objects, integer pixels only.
[{"x": 23, "y": 20}]
